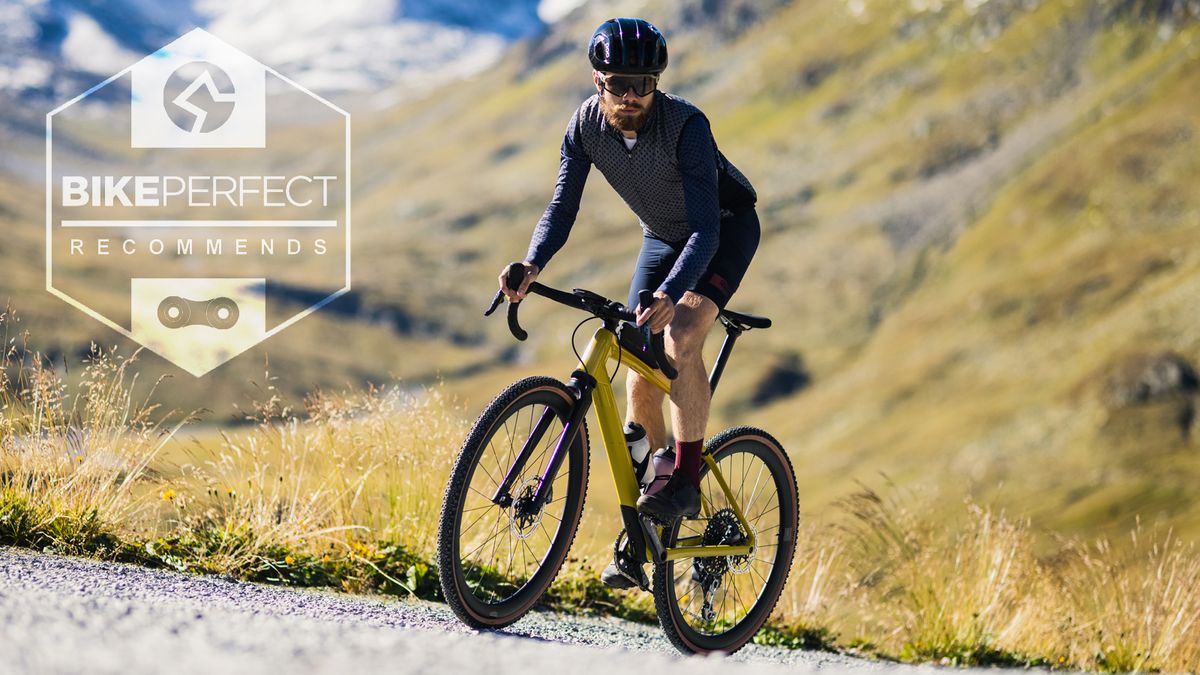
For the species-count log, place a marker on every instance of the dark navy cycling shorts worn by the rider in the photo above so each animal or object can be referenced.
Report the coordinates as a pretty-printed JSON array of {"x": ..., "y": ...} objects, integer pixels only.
[{"x": 740, "y": 241}]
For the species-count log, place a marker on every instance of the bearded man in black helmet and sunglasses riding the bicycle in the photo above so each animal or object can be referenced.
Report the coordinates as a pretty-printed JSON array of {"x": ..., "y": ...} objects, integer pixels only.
[{"x": 699, "y": 234}]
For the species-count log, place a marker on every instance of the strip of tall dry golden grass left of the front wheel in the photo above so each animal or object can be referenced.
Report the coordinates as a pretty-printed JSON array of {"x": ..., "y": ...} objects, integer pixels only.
[{"x": 350, "y": 471}]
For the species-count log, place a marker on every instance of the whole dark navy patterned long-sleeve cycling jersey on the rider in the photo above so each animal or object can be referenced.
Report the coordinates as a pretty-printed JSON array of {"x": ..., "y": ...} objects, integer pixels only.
[{"x": 675, "y": 180}]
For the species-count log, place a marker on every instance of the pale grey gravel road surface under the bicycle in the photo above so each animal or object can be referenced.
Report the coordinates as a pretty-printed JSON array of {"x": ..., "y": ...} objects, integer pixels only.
[{"x": 74, "y": 616}]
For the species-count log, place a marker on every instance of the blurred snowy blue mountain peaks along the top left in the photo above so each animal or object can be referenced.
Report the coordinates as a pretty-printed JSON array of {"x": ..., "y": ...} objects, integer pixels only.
[{"x": 51, "y": 47}]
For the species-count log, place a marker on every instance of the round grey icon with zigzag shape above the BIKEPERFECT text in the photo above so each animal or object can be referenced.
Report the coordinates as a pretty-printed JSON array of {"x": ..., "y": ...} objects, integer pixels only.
[{"x": 199, "y": 98}]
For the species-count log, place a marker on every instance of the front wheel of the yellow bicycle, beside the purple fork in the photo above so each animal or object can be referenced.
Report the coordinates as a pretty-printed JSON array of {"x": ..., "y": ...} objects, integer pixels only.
[{"x": 496, "y": 560}]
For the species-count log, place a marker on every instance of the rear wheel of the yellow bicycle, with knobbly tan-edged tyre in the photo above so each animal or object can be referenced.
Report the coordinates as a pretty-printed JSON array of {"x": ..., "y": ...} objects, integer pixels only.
[{"x": 719, "y": 604}]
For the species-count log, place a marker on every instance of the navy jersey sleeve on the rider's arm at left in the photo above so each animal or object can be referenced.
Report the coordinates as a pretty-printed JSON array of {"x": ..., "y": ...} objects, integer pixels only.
[{"x": 555, "y": 226}]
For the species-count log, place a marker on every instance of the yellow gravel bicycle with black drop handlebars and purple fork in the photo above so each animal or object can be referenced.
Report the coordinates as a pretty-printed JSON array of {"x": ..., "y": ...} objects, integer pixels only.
[{"x": 517, "y": 494}]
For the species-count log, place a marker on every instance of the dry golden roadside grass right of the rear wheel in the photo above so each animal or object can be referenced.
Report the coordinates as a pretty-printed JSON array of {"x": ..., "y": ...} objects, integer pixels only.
[{"x": 891, "y": 577}]
